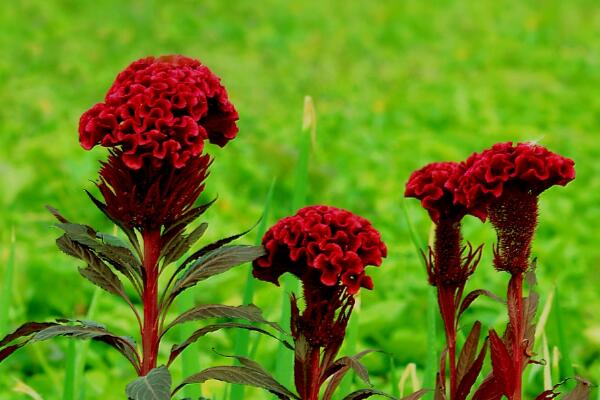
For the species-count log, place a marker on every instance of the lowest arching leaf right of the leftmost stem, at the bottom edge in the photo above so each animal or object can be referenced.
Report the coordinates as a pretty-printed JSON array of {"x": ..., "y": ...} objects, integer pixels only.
[{"x": 245, "y": 375}]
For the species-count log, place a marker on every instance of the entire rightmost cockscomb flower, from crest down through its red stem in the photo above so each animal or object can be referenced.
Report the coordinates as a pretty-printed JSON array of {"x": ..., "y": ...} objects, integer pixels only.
[{"x": 507, "y": 180}]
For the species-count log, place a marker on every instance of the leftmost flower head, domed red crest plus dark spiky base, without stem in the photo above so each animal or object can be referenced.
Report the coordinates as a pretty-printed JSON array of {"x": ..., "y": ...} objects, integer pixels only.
[{"x": 155, "y": 120}]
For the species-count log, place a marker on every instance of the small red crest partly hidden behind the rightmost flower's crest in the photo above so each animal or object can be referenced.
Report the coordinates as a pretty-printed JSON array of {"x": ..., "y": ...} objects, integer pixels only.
[{"x": 435, "y": 185}]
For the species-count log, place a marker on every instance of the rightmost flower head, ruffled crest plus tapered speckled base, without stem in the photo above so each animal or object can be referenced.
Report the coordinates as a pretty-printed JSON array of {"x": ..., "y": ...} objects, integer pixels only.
[{"x": 508, "y": 180}]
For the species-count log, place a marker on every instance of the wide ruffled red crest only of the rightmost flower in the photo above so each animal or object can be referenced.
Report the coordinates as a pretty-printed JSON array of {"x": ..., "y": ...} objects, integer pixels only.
[{"x": 527, "y": 167}]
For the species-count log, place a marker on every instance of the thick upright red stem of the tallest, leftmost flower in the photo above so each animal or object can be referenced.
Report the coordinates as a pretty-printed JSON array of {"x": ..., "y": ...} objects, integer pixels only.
[{"x": 150, "y": 334}]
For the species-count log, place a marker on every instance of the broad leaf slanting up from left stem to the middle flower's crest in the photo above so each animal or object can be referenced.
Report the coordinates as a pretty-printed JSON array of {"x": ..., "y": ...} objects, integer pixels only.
[{"x": 214, "y": 263}]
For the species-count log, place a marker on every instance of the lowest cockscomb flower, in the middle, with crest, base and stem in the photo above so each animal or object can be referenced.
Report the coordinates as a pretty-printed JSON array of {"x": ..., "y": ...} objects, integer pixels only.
[{"x": 327, "y": 248}]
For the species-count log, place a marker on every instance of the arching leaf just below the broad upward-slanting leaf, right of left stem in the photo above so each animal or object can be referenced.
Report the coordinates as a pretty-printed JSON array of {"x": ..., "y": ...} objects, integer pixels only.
[{"x": 247, "y": 312}]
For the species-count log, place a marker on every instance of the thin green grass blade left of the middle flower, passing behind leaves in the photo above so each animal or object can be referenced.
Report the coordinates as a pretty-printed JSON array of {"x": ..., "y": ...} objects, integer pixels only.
[{"x": 243, "y": 336}]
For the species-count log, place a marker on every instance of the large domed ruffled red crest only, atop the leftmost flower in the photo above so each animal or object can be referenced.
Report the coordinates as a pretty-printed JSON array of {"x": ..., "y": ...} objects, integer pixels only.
[{"x": 161, "y": 110}]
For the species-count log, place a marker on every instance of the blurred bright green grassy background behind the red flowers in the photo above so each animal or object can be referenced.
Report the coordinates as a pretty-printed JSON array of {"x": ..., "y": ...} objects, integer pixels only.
[{"x": 396, "y": 84}]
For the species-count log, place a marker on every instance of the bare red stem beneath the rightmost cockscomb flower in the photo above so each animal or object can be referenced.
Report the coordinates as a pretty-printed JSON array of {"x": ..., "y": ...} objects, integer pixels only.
[{"x": 516, "y": 319}]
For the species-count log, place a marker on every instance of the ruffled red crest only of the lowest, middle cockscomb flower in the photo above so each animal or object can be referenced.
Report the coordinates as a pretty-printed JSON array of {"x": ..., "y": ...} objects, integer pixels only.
[{"x": 333, "y": 242}]
